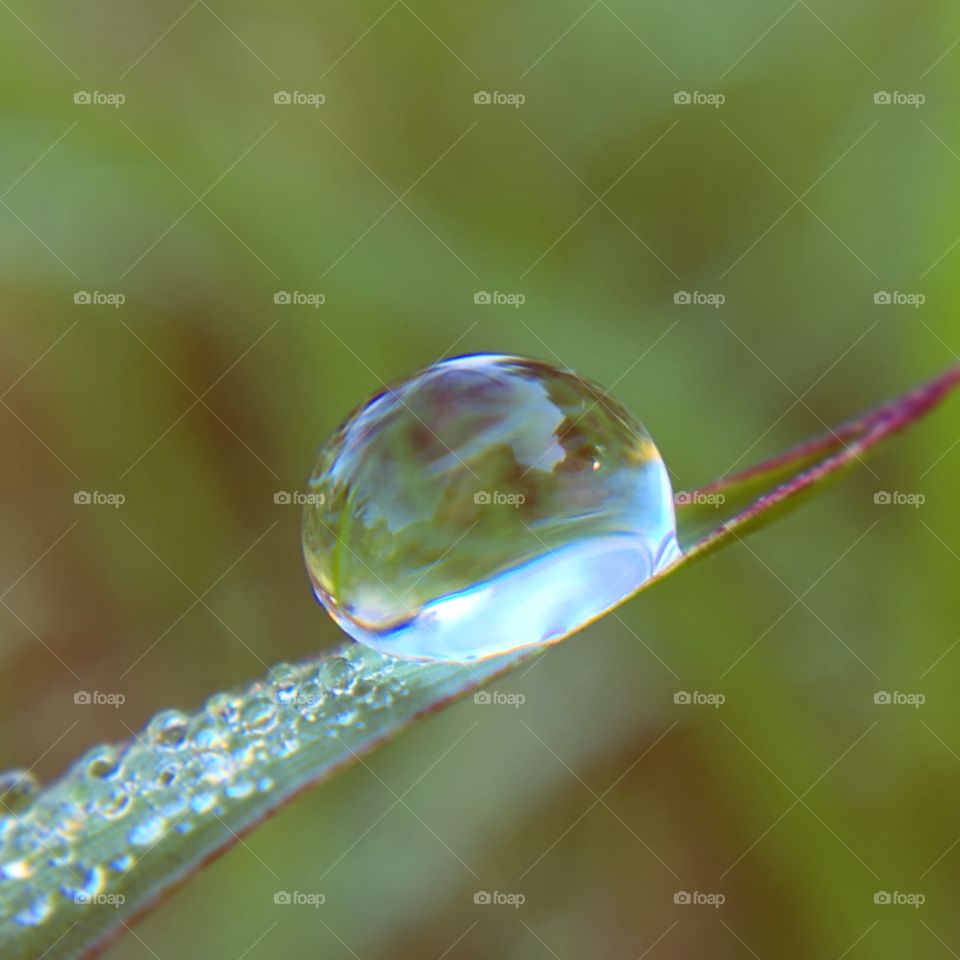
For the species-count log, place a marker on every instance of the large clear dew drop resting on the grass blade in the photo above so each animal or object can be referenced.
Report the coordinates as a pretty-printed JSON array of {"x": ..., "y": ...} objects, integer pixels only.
[{"x": 485, "y": 504}]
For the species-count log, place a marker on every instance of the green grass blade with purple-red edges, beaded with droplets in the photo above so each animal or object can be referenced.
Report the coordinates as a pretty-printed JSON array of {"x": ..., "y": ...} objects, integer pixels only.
[{"x": 128, "y": 824}]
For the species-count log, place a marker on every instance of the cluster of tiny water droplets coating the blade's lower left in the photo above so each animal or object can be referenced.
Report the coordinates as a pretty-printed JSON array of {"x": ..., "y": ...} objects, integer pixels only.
[{"x": 178, "y": 771}]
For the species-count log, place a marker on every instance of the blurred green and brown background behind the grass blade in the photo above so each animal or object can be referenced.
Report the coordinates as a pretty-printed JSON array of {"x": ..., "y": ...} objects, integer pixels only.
[{"x": 599, "y": 199}]
